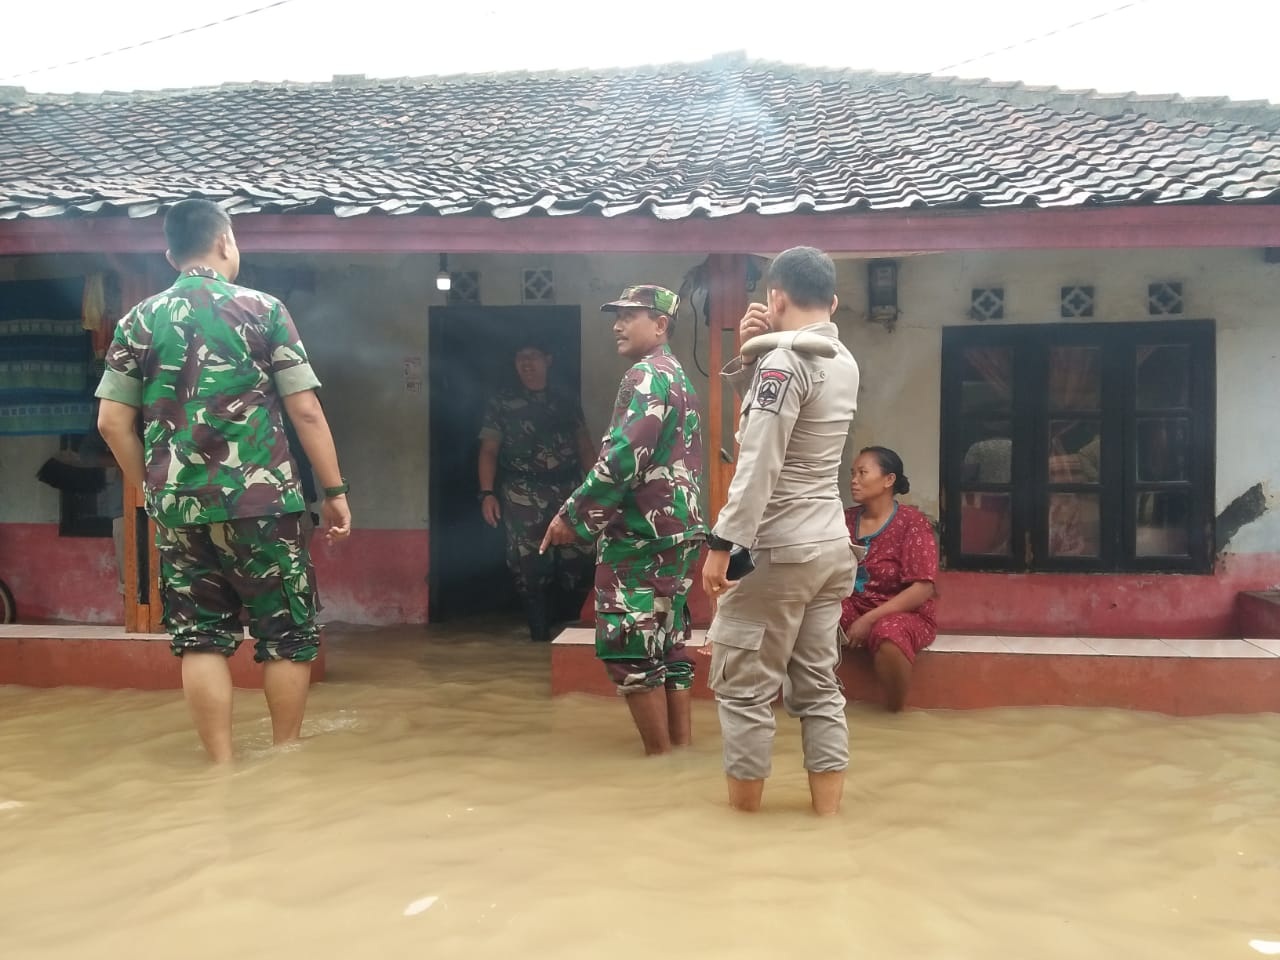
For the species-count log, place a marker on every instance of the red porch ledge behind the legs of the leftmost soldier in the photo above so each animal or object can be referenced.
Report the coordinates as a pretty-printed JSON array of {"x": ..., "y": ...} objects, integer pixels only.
[{"x": 109, "y": 659}]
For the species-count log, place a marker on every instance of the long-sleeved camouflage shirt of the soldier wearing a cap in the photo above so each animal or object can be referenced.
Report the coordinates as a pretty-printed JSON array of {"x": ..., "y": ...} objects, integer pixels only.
[{"x": 644, "y": 488}]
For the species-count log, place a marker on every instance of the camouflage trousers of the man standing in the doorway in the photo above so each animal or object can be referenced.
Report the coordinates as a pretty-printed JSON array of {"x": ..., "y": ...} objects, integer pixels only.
[{"x": 528, "y": 509}]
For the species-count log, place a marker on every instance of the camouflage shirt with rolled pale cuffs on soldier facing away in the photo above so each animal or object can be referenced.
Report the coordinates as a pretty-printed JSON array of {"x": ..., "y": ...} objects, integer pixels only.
[{"x": 208, "y": 363}]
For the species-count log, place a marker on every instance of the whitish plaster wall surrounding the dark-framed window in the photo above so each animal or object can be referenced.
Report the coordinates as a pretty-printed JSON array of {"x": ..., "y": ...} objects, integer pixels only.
[{"x": 902, "y": 371}]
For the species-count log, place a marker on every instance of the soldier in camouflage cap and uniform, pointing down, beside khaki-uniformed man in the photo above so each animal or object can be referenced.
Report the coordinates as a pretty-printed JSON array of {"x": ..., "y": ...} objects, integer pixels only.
[{"x": 641, "y": 504}]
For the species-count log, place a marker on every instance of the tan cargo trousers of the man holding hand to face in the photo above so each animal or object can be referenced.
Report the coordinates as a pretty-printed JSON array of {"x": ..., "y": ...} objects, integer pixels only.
[{"x": 780, "y": 628}]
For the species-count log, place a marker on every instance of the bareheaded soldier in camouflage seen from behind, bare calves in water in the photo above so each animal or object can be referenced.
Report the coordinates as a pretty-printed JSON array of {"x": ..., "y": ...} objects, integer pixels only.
[{"x": 212, "y": 367}]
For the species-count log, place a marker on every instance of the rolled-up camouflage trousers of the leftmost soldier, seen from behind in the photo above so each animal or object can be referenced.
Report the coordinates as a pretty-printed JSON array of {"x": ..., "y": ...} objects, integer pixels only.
[{"x": 262, "y": 565}]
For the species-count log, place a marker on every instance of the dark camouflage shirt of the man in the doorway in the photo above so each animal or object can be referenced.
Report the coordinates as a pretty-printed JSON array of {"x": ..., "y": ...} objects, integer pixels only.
[{"x": 537, "y": 433}]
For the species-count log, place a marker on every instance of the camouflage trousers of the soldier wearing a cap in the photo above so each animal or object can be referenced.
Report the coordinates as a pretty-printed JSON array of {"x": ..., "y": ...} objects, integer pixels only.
[{"x": 642, "y": 616}]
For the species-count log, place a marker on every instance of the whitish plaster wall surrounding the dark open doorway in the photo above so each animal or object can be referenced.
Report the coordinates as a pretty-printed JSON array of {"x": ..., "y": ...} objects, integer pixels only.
[{"x": 368, "y": 314}]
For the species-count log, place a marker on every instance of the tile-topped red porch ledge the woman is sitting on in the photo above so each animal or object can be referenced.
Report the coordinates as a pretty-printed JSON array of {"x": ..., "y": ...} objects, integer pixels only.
[{"x": 1181, "y": 678}]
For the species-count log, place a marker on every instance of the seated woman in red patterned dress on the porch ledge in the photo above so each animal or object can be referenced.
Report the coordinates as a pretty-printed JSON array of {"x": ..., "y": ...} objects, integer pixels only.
[{"x": 892, "y": 609}]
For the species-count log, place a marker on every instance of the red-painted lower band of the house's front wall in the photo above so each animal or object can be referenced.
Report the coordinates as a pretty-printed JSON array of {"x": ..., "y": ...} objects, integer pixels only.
[{"x": 380, "y": 578}]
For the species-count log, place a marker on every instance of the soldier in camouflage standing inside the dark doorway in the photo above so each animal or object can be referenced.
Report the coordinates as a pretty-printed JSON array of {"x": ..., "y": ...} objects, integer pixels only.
[{"x": 534, "y": 450}]
